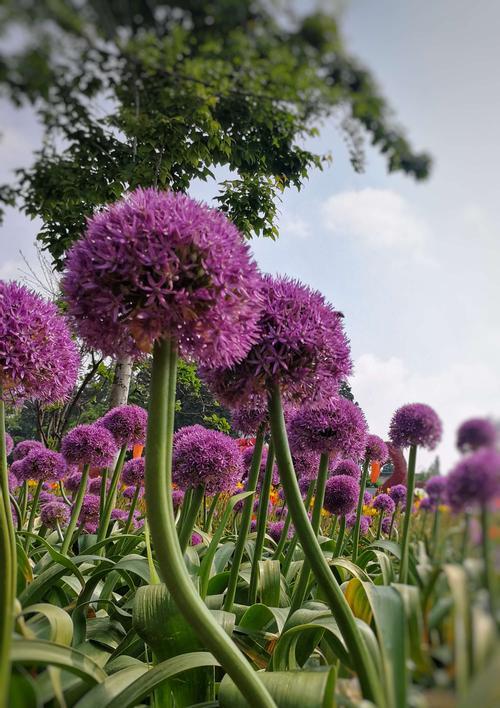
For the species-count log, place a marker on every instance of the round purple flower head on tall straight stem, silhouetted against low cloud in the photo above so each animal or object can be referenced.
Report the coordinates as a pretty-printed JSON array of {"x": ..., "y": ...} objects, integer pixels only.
[{"x": 415, "y": 424}]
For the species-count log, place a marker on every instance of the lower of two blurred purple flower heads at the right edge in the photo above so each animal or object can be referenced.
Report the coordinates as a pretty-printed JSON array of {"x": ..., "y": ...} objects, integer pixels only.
[{"x": 475, "y": 480}]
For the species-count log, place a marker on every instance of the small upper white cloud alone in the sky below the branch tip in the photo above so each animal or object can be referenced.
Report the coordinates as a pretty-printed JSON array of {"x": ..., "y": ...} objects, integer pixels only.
[{"x": 381, "y": 218}]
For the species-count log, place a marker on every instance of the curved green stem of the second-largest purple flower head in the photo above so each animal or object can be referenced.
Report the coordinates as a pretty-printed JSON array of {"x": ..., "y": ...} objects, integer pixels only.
[{"x": 362, "y": 660}]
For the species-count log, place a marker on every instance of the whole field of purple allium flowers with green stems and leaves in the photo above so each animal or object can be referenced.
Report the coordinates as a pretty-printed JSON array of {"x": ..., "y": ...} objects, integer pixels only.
[{"x": 268, "y": 566}]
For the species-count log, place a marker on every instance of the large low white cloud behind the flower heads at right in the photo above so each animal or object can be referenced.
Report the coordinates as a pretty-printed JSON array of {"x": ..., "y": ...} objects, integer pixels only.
[{"x": 458, "y": 392}]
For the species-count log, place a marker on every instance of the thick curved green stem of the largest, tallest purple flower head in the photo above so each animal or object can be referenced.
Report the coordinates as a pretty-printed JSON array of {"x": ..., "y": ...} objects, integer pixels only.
[{"x": 161, "y": 521}]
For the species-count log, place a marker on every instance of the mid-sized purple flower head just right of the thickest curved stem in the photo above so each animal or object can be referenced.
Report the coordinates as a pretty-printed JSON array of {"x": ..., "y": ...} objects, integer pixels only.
[{"x": 206, "y": 458}]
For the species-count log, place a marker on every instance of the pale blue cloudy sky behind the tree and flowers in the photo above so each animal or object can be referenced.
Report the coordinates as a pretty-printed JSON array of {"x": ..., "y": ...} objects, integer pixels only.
[{"x": 414, "y": 267}]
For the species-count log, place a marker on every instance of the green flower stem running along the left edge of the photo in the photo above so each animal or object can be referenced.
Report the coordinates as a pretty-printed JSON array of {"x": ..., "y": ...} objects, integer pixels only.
[{"x": 8, "y": 565}]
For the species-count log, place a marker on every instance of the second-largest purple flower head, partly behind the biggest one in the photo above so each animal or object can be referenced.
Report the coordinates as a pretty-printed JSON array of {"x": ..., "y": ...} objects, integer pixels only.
[{"x": 302, "y": 346}]
